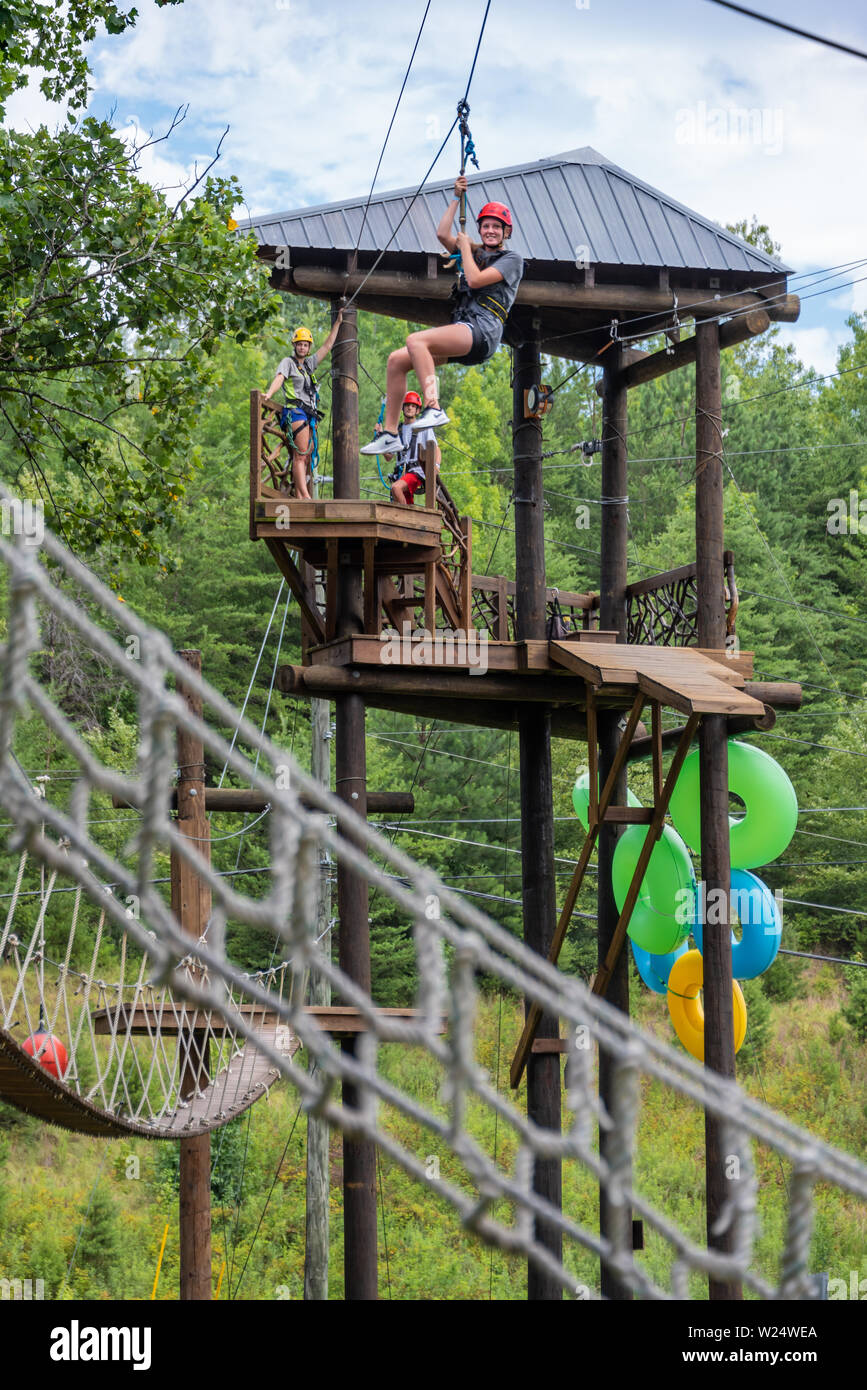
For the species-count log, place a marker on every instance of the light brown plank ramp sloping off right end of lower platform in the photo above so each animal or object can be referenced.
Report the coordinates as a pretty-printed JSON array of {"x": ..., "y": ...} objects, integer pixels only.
[{"x": 677, "y": 676}]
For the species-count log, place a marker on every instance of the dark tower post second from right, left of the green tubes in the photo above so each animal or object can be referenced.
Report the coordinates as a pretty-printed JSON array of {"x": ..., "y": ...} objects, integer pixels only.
[{"x": 613, "y": 618}]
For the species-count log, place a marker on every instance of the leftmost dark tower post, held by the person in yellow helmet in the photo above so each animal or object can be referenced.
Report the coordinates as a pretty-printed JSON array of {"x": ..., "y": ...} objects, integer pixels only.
[{"x": 359, "y": 1154}]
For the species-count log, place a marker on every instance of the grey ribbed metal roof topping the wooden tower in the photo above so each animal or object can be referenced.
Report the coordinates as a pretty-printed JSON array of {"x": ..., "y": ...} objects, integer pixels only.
[{"x": 561, "y": 205}]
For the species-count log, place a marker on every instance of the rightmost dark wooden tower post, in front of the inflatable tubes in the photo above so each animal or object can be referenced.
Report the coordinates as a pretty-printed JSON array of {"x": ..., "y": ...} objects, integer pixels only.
[{"x": 713, "y": 780}]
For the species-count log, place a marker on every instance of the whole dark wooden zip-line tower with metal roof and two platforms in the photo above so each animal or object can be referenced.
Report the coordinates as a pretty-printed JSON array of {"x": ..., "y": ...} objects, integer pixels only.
[{"x": 602, "y": 251}]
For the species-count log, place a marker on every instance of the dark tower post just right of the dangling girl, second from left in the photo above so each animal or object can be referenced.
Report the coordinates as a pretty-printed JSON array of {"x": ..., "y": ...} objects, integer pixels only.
[{"x": 544, "y": 1104}]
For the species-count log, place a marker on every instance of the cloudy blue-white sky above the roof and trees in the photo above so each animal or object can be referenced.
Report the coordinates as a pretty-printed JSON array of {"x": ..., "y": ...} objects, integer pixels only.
[{"x": 308, "y": 90}]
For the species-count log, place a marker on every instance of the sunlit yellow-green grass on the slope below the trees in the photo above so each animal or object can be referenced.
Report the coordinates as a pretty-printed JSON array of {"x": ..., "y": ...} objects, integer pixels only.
[{"x": 48, "y": 1181}]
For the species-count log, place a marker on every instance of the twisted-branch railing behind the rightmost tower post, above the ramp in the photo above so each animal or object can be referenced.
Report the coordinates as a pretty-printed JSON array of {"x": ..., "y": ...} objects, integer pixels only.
[{"x": 663, "y": 610}]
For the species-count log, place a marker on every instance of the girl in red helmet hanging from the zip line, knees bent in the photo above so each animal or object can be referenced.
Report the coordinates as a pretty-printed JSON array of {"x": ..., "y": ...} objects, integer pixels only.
[{"x": 488, "y": 286}]
